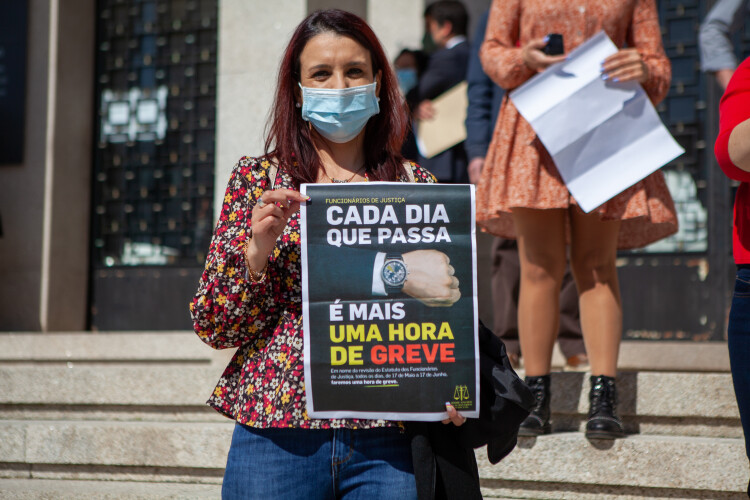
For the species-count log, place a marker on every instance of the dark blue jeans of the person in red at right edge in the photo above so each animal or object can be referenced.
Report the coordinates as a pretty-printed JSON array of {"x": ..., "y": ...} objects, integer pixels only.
[{"x": 739, "y": 347}]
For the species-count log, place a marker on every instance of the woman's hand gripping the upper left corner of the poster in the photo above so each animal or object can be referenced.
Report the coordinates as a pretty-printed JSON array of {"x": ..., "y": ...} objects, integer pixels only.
[{"x": 269, "y": 217}]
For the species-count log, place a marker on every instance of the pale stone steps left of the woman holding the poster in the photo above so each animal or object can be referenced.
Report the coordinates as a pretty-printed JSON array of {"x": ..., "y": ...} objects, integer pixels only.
[{"x": 110, "y": 415}]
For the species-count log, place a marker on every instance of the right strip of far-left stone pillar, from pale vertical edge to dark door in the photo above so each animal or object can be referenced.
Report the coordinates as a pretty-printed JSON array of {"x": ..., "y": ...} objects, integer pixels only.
[{"x": 65, "y": 264}]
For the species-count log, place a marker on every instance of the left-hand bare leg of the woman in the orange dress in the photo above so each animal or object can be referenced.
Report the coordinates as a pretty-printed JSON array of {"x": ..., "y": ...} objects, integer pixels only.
[{"x": 541, "y": 250}]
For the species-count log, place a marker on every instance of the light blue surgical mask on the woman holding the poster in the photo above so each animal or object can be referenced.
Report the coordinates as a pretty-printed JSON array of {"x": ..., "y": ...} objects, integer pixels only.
[{"x": 339, "y": 115}]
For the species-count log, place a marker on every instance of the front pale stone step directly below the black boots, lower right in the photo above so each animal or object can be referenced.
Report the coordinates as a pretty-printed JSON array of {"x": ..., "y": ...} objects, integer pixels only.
[{"x": 567, "y": 465}]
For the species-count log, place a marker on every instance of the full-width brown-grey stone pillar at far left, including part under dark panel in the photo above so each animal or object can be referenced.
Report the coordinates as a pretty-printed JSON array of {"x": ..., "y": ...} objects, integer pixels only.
[{"x": 45, "y": 200}]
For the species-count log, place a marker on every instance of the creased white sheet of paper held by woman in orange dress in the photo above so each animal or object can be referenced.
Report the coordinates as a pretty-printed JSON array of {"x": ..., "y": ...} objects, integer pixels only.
[{"x": 603, "y": 136}]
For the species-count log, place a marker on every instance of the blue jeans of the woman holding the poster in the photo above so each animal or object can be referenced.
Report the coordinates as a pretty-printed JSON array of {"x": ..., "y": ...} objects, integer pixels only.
[{"x": 330, "y": 464}]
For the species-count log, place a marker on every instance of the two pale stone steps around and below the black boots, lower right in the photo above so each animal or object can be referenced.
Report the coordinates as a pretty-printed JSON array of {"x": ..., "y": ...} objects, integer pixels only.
[{"x": 685, "y": 442}]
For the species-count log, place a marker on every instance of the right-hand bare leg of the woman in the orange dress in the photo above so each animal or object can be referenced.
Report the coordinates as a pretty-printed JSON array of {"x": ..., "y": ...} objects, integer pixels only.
[{"x": 593, "y": 255}]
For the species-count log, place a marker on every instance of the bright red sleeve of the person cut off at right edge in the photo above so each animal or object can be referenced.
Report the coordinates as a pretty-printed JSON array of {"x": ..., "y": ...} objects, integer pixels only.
[{"x": 734, "y": 109}]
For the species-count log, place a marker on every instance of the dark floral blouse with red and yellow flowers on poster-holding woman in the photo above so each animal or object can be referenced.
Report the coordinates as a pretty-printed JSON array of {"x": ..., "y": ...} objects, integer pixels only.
[{"x": 263, "y": 386}]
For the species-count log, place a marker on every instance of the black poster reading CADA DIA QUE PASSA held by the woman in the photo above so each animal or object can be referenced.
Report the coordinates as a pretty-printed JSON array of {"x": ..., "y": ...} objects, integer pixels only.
[{"x": 378, "y": 343}]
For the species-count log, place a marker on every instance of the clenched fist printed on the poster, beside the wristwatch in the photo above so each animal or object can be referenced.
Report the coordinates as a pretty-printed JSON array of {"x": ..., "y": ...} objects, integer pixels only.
[{"x": 431, "y": 278}]
